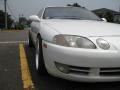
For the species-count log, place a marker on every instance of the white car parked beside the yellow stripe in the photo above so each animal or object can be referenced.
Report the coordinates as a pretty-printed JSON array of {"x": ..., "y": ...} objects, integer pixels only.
[{"x": 75, "y": 44}]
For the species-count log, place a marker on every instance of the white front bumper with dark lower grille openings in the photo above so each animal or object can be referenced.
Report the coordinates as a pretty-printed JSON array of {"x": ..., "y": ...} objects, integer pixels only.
[{"x": 86, "y": 64}]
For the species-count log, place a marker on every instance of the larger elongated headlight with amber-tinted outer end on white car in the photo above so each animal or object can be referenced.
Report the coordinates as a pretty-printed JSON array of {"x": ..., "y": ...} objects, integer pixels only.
[{"x": 74, "y": 41}]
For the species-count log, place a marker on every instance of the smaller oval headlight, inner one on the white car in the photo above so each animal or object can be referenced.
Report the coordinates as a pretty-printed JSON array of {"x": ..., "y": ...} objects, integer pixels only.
[{"x": 103, "y": 44}]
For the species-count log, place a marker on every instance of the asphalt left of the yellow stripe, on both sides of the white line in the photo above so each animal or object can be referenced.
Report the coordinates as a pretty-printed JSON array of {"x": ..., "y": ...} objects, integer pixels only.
[{"x": 10, "y": 73}]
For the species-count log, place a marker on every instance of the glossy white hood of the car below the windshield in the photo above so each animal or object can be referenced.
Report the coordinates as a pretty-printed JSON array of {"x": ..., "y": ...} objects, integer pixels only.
[{"x": 84, "y": 27}]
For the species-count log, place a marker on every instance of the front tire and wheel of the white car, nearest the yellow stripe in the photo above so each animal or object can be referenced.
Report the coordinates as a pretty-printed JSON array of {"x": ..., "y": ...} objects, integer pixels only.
[{"x": 39, "y": 61}]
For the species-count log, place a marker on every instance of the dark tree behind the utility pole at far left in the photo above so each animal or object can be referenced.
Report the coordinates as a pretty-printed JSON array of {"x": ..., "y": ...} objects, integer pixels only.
[{"x": 2, "y": 20}]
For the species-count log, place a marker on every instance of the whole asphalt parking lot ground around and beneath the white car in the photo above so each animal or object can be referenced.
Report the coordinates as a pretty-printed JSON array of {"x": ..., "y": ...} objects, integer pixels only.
[{"x": 11, "y": 74}]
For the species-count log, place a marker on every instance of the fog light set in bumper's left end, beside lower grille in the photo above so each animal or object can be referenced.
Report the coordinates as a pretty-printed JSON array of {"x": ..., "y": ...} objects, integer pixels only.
[{"x": 62, "y": 67}]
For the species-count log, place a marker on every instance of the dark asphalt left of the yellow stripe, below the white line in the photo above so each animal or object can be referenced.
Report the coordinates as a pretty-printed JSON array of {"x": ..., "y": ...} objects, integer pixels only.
[{"x": 10, "y": 77}]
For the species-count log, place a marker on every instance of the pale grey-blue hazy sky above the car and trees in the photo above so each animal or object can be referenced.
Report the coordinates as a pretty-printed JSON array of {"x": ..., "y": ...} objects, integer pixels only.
[{"x": 30, "y": 7}]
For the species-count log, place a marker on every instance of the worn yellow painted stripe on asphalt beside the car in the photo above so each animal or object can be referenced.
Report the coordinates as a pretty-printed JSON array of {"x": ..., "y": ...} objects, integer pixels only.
[{"x": 26, "y": 77}]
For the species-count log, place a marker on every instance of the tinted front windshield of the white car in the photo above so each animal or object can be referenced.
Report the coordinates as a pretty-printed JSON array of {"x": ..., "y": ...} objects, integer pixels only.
[{"x": 69, "y": 13}]
